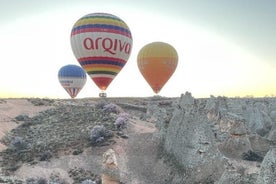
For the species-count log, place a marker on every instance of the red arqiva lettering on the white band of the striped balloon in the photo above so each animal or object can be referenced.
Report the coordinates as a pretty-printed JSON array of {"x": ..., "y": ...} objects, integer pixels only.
[{"x": 109, "y": 45}]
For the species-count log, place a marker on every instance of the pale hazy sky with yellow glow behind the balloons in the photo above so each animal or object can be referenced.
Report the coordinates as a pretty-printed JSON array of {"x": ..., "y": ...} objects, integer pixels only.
[{"x": 225, "y": 48}]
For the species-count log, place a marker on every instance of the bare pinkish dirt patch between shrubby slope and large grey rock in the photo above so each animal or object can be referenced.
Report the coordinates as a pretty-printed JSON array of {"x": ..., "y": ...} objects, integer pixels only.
[{"x": 138, "y": 155}]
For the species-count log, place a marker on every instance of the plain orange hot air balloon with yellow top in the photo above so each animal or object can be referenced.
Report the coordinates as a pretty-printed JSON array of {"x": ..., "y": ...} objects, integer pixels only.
[{"x": 157, "y": 62}]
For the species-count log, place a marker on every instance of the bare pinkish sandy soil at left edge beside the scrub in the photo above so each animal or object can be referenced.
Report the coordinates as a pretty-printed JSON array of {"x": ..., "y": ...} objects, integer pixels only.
[{"x": 10, "y": 108}]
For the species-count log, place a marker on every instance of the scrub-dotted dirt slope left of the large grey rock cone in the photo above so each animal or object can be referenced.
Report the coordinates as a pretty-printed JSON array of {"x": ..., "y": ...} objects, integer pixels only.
[{"x": 57, "y": 144}]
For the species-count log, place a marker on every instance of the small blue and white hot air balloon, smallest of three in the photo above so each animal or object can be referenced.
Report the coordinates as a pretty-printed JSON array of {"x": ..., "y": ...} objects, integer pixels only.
[{"x": 72, "y": 78}]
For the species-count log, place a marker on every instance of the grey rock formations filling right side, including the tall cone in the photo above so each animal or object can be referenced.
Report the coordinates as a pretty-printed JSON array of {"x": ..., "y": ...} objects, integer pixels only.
[{"x": 219, "y": 140}]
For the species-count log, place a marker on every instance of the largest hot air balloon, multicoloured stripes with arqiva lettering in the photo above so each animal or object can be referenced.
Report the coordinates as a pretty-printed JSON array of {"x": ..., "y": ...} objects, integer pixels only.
[{"x": 102, "y": 44}]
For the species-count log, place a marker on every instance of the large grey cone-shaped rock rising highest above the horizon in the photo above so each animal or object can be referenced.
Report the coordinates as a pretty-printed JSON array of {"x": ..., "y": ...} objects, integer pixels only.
[{"x": 191, "y": 141}]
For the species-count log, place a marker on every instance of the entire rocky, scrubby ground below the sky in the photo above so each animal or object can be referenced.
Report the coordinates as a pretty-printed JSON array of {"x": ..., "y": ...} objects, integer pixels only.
[{"x": 156, "y": 140}]
